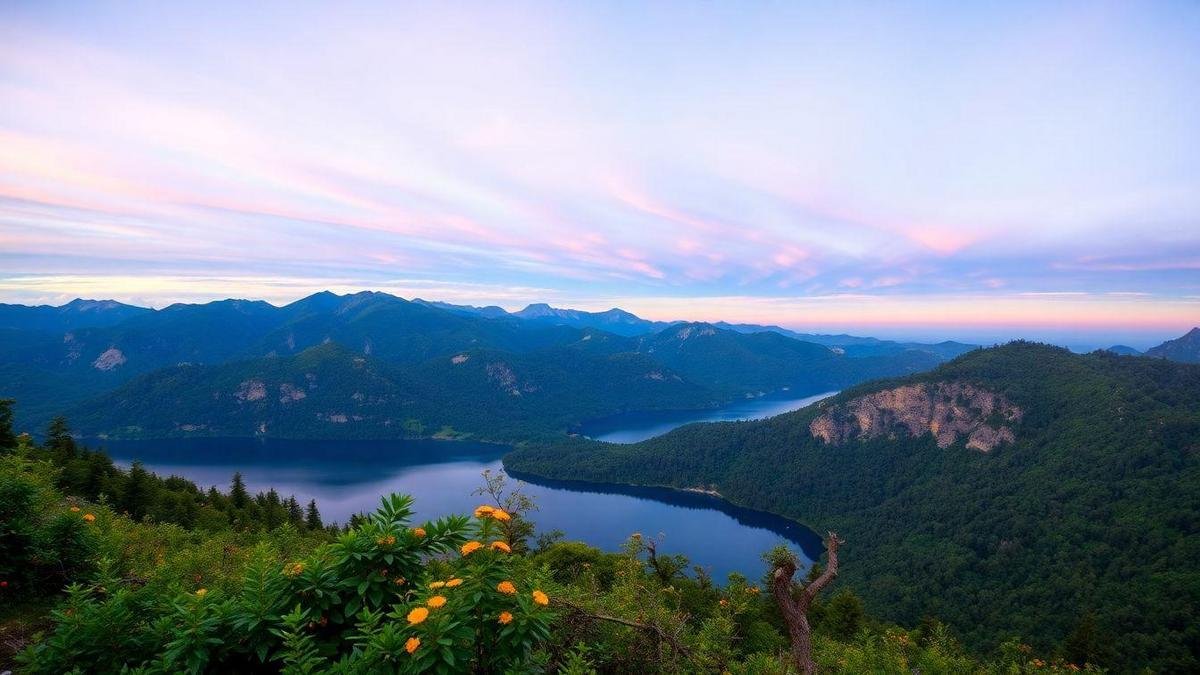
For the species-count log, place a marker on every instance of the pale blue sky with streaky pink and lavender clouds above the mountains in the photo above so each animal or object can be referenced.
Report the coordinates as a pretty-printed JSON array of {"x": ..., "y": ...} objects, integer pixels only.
[{"x": 938, "y": 170}]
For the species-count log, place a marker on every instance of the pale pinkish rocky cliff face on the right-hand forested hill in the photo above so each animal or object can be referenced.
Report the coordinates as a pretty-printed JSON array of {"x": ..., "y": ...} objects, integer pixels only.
[{"x": 947, "y": 410}]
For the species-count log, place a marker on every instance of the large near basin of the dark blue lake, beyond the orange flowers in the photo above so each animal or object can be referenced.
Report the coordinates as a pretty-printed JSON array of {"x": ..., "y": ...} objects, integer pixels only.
[{"x": 349, "y": 477}]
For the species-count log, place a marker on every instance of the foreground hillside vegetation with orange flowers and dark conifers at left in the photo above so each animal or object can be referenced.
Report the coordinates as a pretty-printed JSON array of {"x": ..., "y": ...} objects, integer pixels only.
[{"x": 109, "y": 571}]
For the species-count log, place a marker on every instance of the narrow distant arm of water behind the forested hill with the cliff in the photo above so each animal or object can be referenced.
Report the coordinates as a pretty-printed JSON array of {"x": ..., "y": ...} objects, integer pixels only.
[{"x": 634, "y": 427}]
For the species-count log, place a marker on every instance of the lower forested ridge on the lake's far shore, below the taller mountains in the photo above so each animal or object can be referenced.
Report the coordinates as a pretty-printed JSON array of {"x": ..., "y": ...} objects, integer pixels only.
[{"x": 333, "y": 392}]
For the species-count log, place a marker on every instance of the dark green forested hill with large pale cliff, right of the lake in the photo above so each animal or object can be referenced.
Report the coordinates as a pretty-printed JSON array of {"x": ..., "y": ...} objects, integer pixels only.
[{"x": 1016, "y": 491}]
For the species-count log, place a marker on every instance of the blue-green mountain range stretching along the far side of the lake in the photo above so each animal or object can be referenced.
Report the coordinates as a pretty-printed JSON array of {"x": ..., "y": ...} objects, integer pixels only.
[{"x": 376, "y": 366}]
